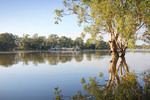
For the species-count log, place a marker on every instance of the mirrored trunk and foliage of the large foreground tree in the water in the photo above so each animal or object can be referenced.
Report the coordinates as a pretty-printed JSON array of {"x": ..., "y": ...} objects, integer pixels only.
[{"x": 121, "y": 85}]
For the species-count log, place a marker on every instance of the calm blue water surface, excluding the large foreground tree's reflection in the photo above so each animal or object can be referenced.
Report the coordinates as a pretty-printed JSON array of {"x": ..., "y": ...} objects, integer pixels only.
[{"x": 34, "y": 75}]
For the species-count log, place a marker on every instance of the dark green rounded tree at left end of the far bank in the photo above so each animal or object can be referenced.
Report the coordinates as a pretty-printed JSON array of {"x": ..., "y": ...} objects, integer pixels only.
[{"x": 8, "y": 41}]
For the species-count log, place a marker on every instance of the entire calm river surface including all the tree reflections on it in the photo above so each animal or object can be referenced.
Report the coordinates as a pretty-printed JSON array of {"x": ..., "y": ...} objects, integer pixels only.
[{"x": 38, "y": 83}]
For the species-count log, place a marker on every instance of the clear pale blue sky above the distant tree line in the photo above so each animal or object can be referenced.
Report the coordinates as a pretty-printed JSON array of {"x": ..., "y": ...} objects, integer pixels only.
[{"x": 37, "y": 16}]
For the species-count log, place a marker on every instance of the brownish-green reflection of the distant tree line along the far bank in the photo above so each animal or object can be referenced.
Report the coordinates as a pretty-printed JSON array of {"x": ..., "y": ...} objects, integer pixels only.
[{"x": 53, "y": 58}]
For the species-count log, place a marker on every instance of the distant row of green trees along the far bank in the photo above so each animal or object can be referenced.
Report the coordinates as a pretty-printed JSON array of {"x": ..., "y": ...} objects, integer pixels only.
[{"x": 10, "y": 42}]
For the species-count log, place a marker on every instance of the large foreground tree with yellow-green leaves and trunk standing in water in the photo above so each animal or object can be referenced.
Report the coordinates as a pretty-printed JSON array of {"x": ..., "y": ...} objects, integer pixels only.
[{"x": 124, "y": 21}]
